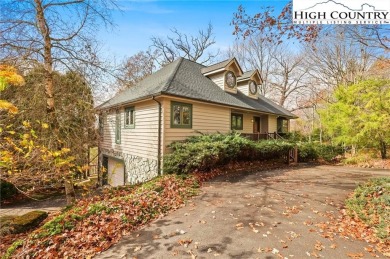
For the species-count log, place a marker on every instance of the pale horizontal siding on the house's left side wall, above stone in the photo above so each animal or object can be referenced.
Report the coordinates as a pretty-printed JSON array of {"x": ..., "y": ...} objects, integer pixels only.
[{"x": 142, "y": 140}]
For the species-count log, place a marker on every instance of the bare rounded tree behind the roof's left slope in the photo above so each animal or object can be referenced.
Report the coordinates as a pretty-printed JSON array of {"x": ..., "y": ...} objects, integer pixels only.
[{"x": 136, "y": 68}]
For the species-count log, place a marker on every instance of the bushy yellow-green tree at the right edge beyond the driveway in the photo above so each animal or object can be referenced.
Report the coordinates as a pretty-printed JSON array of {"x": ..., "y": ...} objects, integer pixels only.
[{"x": 360, "y": 115}]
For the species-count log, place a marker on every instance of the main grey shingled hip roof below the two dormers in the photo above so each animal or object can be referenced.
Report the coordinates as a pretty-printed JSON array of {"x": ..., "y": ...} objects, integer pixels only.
[{"x": 184, "y": 78}]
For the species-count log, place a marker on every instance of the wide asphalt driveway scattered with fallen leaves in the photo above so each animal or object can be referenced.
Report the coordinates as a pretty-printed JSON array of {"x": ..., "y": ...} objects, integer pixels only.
[{"x": 265, "y": 214}]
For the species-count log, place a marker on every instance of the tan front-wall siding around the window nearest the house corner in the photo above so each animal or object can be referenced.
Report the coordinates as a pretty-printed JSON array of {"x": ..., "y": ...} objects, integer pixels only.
[{"x": 205, "y": 118}]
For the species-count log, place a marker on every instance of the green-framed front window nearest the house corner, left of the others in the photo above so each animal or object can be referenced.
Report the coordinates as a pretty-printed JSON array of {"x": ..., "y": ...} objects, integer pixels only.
[{"x": 181, "y": 115}]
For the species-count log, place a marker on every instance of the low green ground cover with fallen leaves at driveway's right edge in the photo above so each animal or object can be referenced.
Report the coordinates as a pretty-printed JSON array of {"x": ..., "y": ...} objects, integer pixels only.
[{"x": 370, "y": 202}]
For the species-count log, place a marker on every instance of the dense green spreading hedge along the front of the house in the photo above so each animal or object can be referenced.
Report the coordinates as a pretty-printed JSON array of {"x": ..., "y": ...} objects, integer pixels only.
[{"x": 205, "y": 152}]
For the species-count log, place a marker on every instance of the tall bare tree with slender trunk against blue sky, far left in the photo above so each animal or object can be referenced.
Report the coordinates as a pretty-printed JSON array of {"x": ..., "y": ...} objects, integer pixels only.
[{"x": 58, "y": 33}]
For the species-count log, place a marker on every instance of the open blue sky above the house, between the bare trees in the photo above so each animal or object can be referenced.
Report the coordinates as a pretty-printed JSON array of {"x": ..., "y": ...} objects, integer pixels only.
[{"x": 139, "y": 20}]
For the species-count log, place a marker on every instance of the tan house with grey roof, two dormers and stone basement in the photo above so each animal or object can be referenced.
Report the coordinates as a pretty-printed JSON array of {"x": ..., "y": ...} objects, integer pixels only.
[{"x": 178, "y": 101}]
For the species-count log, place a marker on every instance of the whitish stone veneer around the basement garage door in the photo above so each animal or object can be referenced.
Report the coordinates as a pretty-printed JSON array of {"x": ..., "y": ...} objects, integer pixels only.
[{"x": 137, "y": 169}]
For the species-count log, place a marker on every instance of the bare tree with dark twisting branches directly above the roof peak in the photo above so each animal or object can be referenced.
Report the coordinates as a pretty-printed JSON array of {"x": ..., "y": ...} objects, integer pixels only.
[{"x": 182, "y": 45}]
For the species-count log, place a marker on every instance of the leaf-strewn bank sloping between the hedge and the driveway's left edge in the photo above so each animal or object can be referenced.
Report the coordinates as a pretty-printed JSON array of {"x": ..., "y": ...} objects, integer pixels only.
[{"x": 94, "y": 224}]
